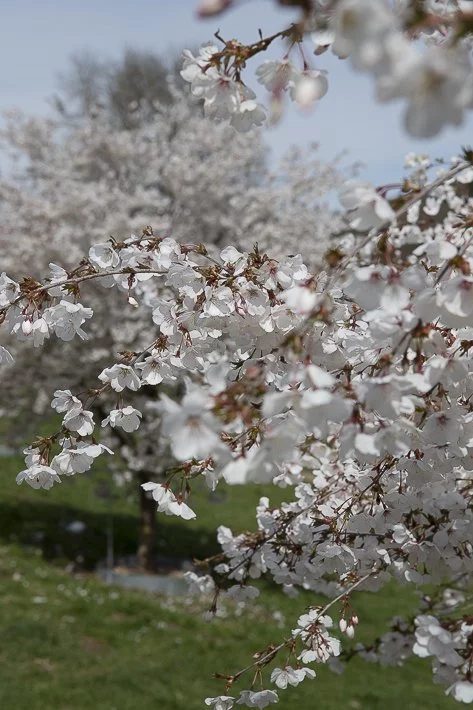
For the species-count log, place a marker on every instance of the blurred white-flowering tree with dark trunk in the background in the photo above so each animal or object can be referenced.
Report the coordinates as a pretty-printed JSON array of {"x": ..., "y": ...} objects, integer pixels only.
[{"x": 75, "y": 182}]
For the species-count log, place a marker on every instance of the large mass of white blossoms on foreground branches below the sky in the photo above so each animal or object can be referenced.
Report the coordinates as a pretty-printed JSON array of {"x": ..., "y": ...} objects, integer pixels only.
[{"x": 343, "y": 398}]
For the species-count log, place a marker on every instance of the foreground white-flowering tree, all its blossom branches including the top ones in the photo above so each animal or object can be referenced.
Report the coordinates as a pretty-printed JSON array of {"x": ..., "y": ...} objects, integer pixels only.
[{"x": 351, "y": 387}]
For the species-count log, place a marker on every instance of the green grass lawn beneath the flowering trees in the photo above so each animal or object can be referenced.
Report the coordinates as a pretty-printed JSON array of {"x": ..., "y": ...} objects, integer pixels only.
[{"x": 70, "y": 642}]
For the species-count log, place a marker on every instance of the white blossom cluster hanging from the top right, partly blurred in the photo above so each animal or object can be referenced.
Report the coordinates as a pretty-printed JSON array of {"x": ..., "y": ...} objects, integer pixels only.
[{"x": 435, "y": 81}]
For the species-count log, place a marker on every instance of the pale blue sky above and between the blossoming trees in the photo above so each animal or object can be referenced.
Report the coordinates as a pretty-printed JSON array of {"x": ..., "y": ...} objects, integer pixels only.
[{"x": 38, "y": 36}]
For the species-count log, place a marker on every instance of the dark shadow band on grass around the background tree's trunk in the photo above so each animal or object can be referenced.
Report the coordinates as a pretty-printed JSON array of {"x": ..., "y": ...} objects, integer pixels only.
[{"x": 45, "y": 526}]
